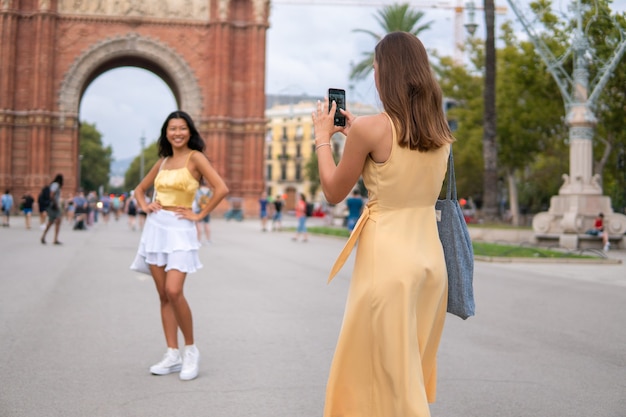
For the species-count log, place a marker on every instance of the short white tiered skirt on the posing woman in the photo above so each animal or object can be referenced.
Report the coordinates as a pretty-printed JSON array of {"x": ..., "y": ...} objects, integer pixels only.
[{"x": 168, "y": 241}]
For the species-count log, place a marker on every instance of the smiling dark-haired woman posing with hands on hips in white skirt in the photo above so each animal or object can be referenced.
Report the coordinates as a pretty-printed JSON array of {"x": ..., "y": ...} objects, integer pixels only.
[{"x": 169, "y": 242}]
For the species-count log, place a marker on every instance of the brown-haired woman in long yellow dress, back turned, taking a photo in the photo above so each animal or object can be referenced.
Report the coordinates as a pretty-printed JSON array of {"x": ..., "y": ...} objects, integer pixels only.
[{"x": 385, "y": 359}]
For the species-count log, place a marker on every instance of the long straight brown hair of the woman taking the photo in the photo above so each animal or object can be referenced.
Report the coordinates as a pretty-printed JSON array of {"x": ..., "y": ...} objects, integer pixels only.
[{"x": 410, "y": 93}]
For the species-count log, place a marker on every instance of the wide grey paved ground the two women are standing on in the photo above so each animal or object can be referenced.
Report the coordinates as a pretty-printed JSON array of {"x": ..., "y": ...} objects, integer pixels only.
[{"x": 78, "y": 331}]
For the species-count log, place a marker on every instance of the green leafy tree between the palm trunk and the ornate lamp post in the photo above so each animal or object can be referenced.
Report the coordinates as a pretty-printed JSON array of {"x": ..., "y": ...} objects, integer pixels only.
[{"x": 530, "y": 117}]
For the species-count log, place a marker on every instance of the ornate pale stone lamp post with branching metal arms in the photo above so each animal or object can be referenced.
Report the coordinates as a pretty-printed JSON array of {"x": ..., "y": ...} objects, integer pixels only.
[{"x": 580, "y": 197}]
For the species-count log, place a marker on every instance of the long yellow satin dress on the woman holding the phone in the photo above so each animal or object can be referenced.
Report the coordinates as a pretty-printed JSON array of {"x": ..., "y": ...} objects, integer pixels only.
[{"x": 385, "y": 360}]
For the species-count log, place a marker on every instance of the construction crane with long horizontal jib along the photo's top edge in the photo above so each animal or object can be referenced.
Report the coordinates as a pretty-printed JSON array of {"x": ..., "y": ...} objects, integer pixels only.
[{"x": 459, "y": 6}]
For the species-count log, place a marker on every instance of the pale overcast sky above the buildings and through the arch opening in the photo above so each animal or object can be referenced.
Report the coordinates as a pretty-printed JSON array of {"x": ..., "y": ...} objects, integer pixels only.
[{"x": 309, "y": 48}]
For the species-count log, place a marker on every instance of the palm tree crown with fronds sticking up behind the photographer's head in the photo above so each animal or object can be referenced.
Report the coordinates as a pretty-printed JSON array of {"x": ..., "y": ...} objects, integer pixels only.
[{"x": 392, "y": 18}]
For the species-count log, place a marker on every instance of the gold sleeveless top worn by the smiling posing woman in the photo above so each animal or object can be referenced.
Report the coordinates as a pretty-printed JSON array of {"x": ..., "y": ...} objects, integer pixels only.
[{"x": 176, "y": 187}]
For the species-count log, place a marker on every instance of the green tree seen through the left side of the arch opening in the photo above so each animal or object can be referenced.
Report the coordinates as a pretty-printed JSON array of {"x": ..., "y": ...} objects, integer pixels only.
[{"x": 95, "y": 162}]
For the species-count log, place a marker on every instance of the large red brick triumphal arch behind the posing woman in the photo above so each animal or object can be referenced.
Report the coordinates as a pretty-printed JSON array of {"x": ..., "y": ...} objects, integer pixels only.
[{"x": 211, "y": 53}]
